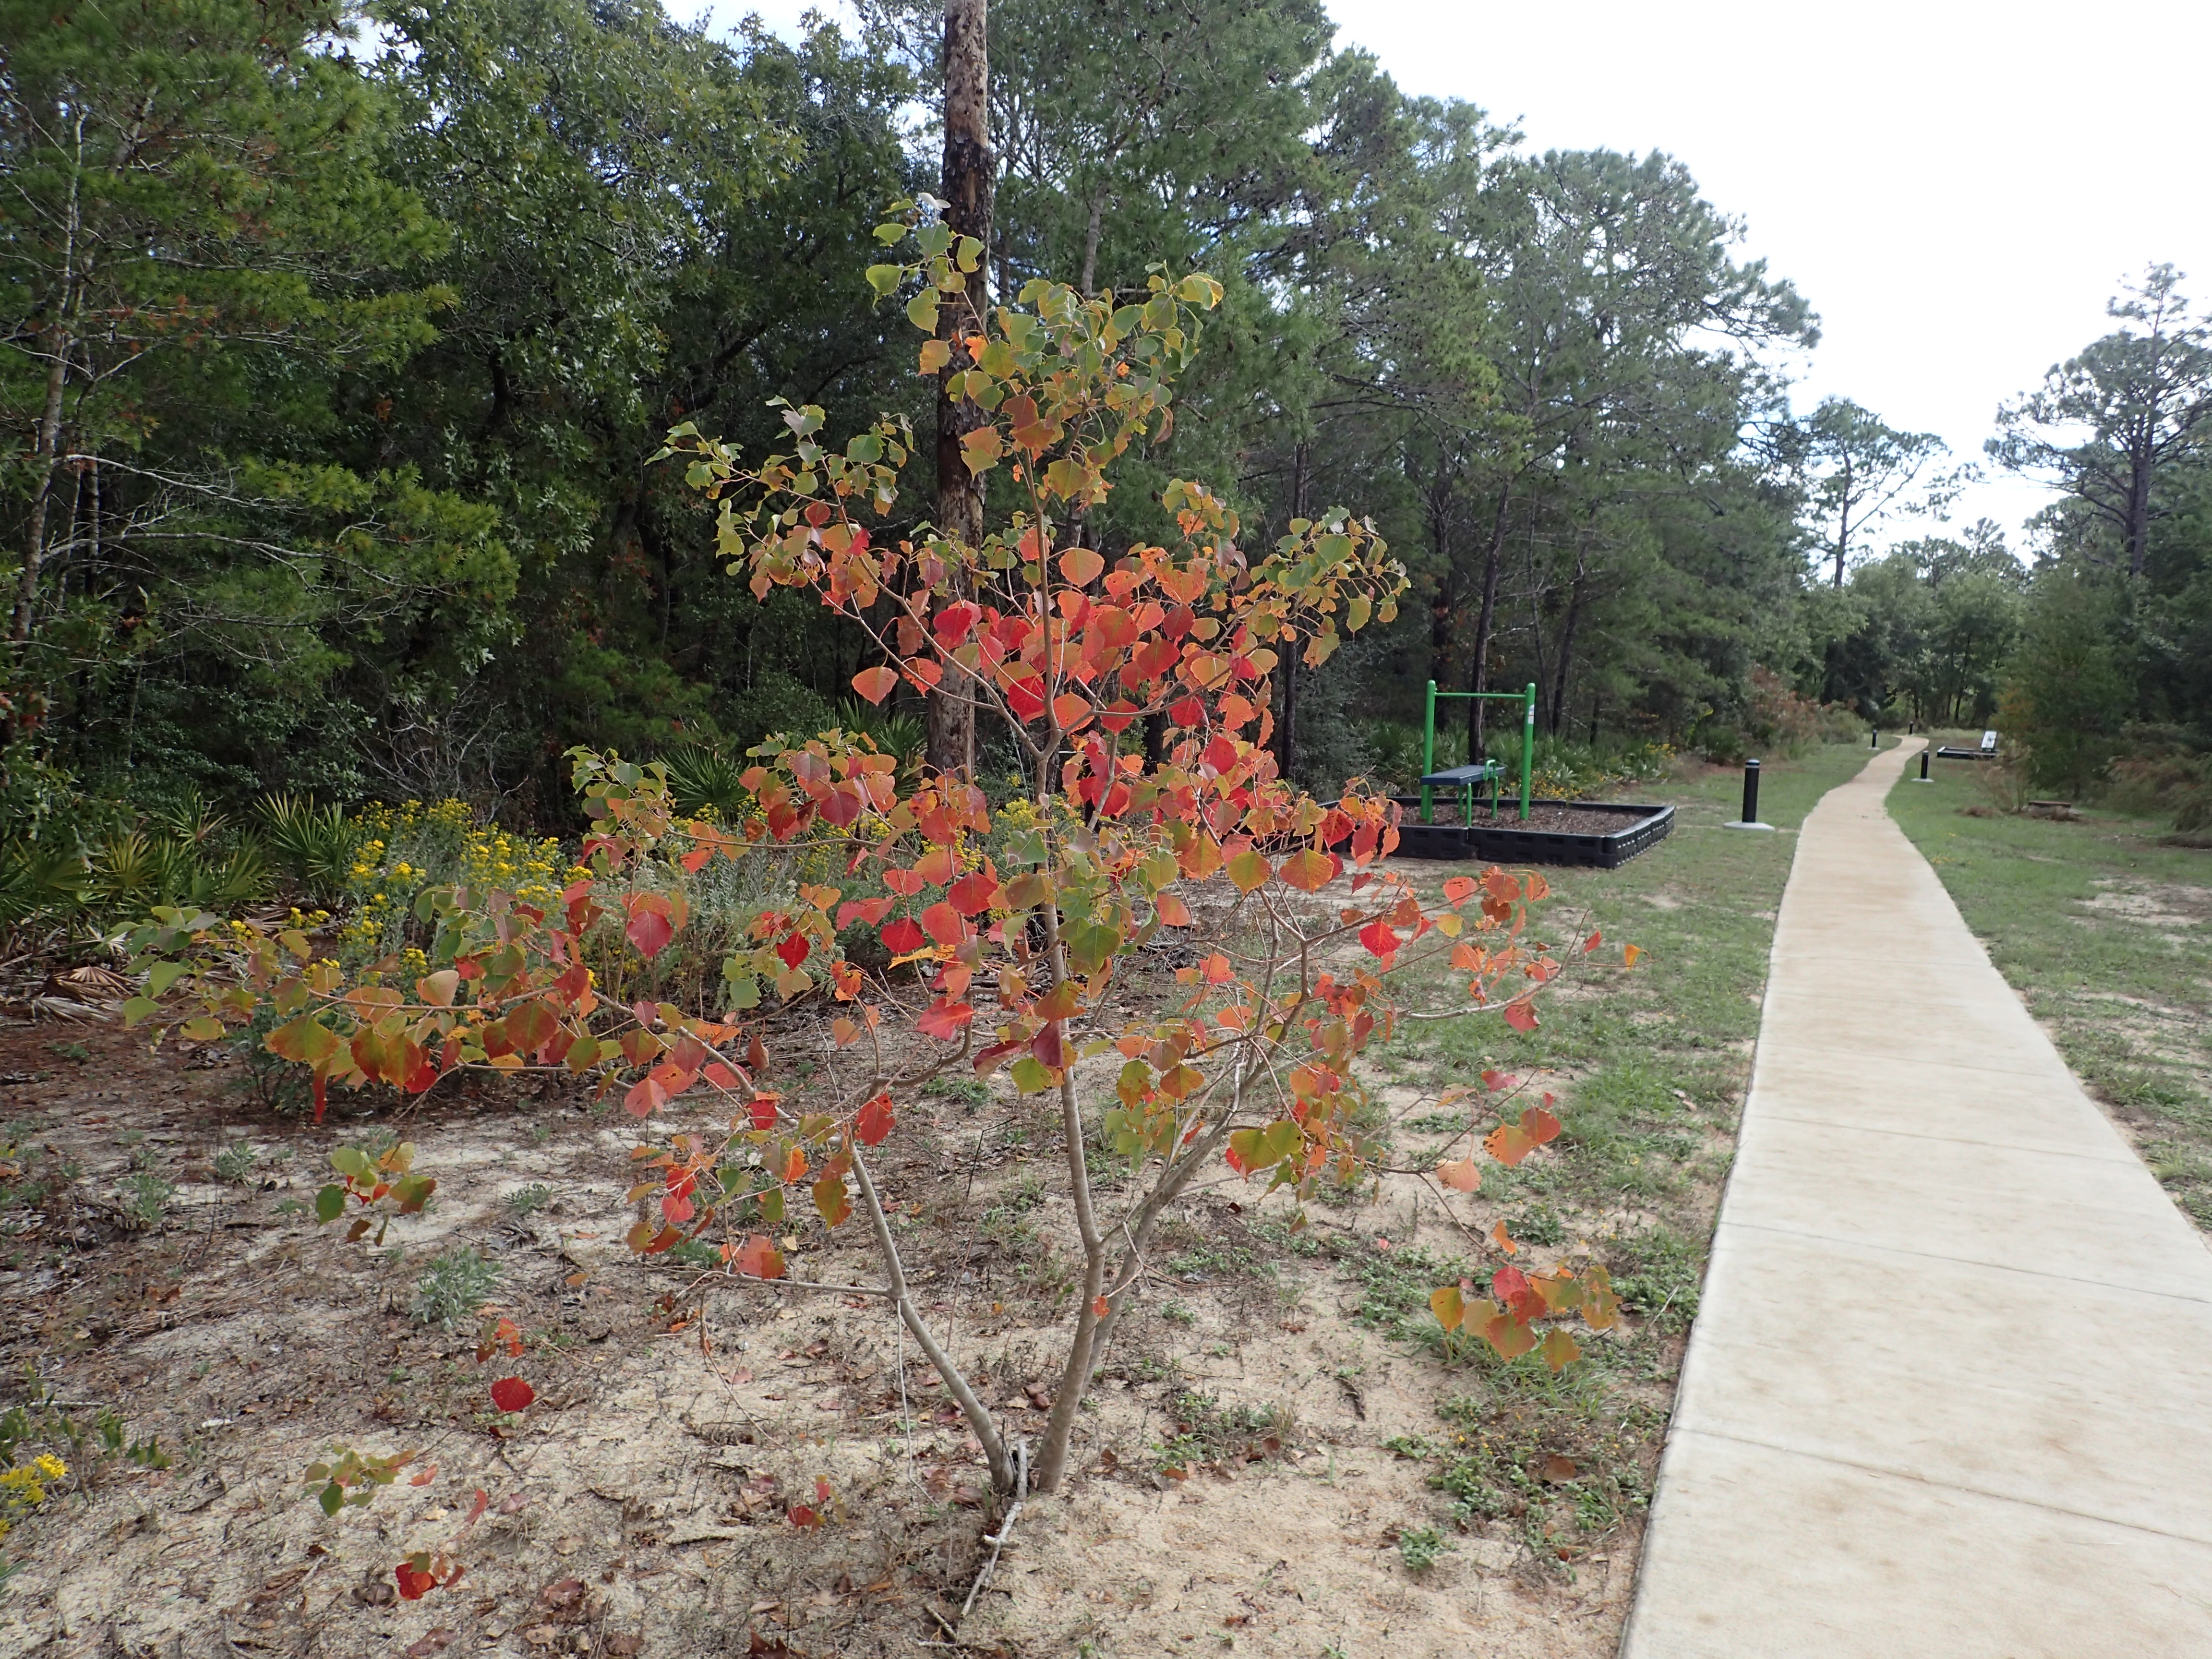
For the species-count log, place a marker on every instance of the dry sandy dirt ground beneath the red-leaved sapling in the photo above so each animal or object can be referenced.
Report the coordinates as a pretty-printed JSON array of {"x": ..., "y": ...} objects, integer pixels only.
[{"x": 1262, "y": 1446}]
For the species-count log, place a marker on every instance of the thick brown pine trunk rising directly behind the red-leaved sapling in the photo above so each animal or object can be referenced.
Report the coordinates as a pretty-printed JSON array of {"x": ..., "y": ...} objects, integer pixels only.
[{"x": 968, "y": 209}]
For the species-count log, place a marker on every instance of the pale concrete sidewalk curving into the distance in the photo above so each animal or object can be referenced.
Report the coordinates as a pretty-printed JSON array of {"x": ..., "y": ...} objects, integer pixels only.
[{"x": 1950, "y": 1390}]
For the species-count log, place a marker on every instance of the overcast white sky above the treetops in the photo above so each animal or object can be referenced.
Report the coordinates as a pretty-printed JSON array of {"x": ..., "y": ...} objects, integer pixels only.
[{"x": 1954, "y": 187}]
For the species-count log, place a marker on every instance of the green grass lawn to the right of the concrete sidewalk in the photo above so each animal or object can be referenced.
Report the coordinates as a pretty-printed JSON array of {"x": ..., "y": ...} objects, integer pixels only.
[{"x": 2105, "y": 935}]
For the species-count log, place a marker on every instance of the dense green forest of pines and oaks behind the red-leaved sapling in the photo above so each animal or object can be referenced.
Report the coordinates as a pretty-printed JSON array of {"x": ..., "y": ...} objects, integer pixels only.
[{"x": 342, "y": 337}]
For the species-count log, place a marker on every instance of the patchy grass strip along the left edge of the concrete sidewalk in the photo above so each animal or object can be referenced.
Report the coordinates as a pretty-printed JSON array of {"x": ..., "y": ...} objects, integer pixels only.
[{"x": 1651, "y": 1070}]
